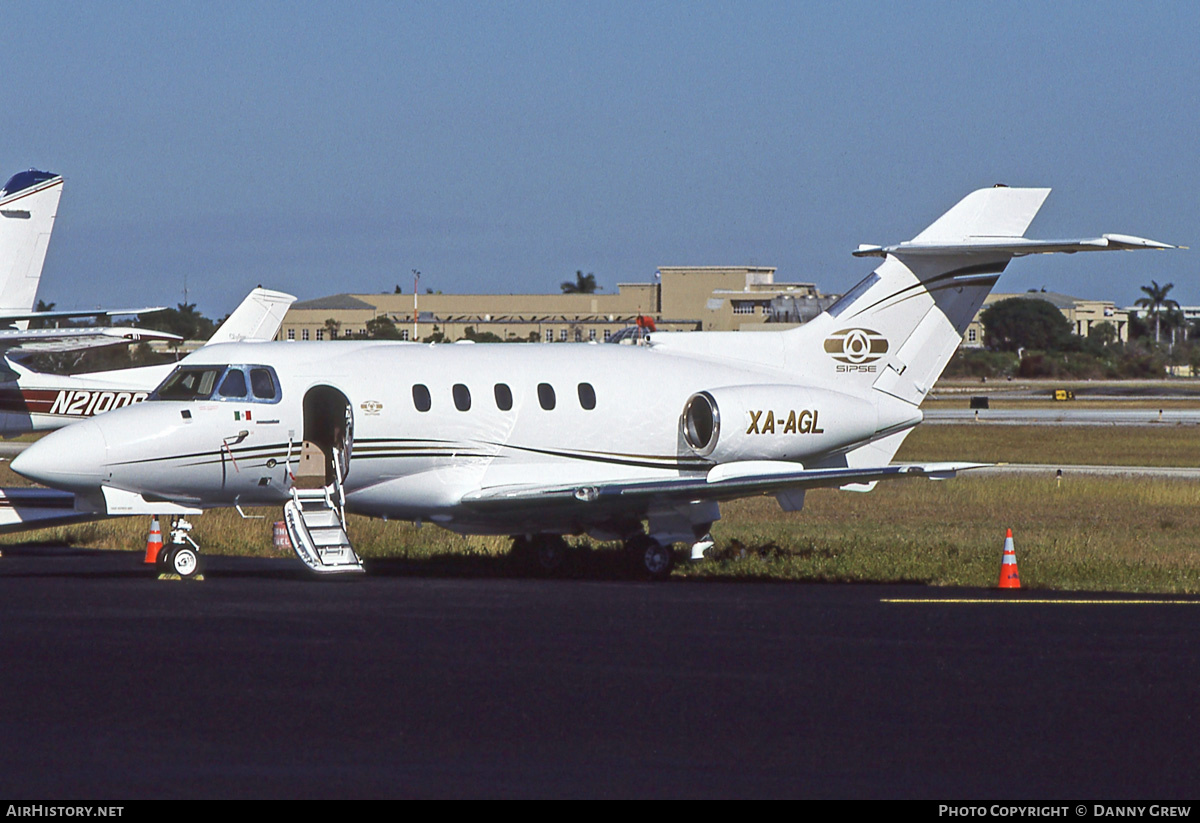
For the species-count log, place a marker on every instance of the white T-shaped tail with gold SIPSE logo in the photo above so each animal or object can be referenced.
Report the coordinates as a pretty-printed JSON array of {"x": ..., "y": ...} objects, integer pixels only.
[{"x": 897, "y": 331}]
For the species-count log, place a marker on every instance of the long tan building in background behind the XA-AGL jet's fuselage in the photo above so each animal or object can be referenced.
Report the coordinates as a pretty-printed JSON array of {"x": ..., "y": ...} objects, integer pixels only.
[{"x": 679, "y": 299}]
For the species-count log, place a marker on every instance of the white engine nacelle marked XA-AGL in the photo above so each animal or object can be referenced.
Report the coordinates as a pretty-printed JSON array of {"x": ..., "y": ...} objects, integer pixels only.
[{"x": 775, "y": 423}]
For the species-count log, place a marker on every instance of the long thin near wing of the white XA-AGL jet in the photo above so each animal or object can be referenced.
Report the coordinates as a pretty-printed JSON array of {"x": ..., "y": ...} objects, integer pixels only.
[{"x": 723, "y": 483}]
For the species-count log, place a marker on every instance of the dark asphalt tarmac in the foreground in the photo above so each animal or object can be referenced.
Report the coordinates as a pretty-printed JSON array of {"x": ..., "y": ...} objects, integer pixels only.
[{"x": 260, "y": 682}]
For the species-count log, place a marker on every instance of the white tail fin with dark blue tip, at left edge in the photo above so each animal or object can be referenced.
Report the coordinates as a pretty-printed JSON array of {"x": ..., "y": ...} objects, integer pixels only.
[{"x": 29, "y": 202}]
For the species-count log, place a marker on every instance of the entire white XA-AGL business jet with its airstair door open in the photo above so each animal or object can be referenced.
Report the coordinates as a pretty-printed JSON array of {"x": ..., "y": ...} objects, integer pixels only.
[{"x": 545, "y": 441}]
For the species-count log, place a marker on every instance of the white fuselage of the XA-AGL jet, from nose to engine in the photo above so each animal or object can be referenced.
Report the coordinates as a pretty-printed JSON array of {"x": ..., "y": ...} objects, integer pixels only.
[{"x": 418, "y": 465}]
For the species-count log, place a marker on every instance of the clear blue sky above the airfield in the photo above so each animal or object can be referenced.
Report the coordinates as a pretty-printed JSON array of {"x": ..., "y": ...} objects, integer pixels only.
[{"x": 496, "y": 147}]
